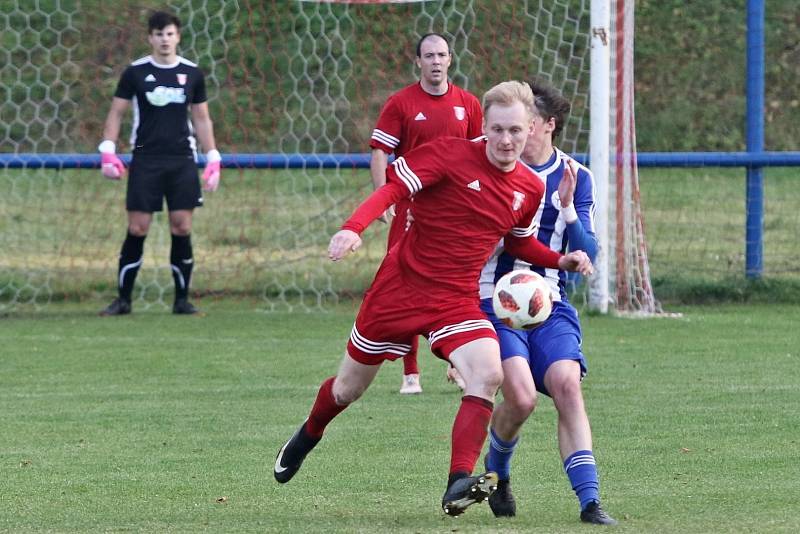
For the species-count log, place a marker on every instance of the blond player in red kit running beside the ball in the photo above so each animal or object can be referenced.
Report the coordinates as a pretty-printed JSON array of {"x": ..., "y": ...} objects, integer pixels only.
[{"x": 468, "y": 195}]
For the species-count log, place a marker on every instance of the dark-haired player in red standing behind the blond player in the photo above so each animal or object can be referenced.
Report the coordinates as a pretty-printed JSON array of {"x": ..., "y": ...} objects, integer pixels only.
[{"x": 431, "y": 108}]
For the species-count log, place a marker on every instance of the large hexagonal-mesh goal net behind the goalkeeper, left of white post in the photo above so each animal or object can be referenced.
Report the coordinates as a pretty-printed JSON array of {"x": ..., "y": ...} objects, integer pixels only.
[{"x": 295, "y": 88}]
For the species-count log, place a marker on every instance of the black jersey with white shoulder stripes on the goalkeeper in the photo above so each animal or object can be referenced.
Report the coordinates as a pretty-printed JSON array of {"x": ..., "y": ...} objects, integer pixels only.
[{"x": 161, "y": 97}]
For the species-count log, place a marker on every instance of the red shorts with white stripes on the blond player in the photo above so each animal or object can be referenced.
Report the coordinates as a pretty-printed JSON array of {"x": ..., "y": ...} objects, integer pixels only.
[{"x": 394, "y": 312}]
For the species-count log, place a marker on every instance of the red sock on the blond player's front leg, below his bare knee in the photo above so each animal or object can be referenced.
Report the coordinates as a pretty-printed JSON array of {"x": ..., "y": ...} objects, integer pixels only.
[{"x": 469, "y": 433}]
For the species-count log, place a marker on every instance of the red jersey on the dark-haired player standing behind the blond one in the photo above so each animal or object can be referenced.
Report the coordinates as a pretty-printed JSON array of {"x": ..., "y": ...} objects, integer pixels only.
[{"x": 412, "y": 116}]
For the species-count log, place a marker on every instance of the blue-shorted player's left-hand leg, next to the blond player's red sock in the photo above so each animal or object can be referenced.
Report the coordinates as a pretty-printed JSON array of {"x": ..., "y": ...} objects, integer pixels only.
[{"x": 519, "y": 401}]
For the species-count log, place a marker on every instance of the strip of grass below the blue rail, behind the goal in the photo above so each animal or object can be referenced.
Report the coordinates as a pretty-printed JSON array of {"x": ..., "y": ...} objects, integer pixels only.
[{"x": 265, "y": 234}]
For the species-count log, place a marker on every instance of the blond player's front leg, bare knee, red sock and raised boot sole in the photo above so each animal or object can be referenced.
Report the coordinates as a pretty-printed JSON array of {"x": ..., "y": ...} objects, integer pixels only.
[{"x": 478, "y": 362}]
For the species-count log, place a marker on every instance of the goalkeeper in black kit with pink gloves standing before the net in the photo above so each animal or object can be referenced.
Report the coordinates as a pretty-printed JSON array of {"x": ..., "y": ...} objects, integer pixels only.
[{"x": 166, "y": 91}]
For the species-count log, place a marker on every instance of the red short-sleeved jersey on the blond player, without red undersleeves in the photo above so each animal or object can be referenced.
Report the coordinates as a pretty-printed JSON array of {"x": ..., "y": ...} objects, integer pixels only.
[{"x": 462, "y": 206}]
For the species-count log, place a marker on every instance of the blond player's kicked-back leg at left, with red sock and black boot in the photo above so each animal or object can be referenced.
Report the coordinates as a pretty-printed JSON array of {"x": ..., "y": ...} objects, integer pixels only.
[{"x": 335, "y": 394}]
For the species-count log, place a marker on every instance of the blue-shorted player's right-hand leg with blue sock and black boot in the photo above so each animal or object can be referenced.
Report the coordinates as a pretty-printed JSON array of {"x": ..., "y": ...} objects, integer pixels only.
[{"x": 562, "y": 380}]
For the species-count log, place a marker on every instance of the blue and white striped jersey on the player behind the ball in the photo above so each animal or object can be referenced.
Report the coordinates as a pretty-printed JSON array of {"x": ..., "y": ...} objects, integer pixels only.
[{"x": 551, "y": 228}]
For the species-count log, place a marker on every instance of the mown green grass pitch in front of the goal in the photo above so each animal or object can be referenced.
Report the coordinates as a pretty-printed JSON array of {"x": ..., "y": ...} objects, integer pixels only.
[{"x": 155, "y": 423}]
